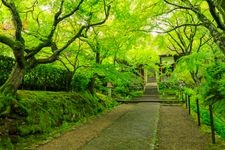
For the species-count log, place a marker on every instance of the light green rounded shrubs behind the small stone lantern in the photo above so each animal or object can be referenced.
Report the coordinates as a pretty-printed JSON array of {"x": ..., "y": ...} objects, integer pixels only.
[{"x": 124, "y": 82}]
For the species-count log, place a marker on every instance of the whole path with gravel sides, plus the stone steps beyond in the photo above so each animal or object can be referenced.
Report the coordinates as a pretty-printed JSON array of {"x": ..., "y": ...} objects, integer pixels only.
[{"x": 136, "y": 126}]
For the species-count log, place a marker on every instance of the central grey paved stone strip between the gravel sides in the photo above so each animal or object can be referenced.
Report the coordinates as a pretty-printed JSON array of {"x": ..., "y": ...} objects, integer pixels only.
[{"x": 135, "y": 130}]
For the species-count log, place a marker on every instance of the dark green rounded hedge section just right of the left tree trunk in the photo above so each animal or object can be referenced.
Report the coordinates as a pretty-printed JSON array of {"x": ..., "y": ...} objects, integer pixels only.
[{"x": 47, "y": 77}]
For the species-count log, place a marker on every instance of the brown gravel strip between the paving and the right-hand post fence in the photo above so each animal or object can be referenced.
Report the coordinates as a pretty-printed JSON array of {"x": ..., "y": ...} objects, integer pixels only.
[{"x": 177, "y": 130}]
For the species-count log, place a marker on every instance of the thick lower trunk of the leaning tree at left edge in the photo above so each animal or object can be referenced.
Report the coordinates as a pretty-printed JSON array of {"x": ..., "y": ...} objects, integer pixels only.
[{"x": 10, "y": 87}]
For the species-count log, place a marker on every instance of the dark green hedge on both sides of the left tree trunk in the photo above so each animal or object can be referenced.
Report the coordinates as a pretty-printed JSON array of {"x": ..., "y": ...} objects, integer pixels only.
[{"x": 43, "y": 77}]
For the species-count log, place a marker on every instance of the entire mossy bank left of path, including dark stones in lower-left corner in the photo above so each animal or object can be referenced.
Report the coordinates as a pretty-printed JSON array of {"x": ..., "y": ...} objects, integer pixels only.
[{"x": 47, "y": 114}]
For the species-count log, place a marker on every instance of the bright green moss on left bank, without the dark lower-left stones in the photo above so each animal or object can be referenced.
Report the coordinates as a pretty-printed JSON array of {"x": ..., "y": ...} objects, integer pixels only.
[{"x": 48, "y": 111}]
